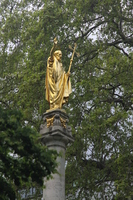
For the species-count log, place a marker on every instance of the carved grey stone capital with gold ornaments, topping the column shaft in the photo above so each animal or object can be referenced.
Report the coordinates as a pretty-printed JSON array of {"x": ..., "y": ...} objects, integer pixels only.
[{"x": 55, "y": 127}]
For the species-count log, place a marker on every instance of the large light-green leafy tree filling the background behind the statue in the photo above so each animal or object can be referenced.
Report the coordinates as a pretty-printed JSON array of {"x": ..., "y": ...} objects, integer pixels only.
[{"x": 99, "y": 163}]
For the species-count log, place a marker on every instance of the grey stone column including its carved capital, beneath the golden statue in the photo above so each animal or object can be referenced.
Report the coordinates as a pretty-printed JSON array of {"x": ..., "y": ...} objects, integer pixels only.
[{"x": 56, "y": 134}]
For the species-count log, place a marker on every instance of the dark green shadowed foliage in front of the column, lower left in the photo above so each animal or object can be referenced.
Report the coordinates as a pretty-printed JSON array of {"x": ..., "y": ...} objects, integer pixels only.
[{"x": 23, "y": 160}]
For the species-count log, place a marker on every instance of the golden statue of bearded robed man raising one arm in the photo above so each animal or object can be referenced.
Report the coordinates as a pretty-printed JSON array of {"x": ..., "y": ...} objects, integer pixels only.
[{"x": 57, "y": 82}]
